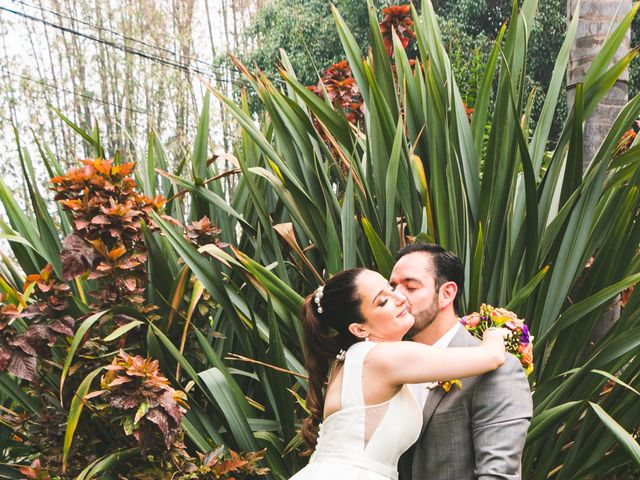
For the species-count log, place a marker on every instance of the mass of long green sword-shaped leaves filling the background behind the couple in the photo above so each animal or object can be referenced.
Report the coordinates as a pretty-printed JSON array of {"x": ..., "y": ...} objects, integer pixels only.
[{"x": 316, "y": 189}]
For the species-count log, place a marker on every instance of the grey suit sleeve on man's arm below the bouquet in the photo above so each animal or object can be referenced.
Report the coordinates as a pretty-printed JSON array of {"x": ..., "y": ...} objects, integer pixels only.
[{"x": 501, "y": 411}]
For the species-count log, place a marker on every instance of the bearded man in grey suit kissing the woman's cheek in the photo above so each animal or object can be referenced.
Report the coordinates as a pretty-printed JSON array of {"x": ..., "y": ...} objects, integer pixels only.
[{"x": 478, "y": 431}]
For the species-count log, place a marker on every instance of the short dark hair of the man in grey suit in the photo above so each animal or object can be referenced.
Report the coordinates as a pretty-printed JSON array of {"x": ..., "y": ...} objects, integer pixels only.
[{"x": 447, "y": 266}]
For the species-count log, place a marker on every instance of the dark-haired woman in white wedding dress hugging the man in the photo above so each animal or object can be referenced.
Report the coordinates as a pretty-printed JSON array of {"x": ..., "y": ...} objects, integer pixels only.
[{"x": 362, "y": 414}]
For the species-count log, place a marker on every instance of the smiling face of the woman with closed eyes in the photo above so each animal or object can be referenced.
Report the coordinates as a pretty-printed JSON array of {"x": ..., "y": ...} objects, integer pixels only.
[{"x": 385, "y": 310}]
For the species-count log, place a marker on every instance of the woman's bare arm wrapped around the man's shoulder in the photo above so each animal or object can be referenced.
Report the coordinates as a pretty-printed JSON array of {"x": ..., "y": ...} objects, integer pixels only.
[{"x": 413, "y": 362}]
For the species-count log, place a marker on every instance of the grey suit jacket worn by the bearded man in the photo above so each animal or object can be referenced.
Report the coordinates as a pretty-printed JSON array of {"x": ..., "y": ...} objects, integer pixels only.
[{"x": 477, "y": 432}]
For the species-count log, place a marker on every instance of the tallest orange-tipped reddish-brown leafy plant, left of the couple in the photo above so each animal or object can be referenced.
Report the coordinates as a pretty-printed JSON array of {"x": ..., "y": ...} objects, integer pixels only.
[{"x": 108, "y": 213}]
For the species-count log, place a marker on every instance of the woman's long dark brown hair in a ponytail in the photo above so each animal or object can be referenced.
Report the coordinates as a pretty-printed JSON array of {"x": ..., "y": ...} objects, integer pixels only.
[{"x": 325, "y": 334}]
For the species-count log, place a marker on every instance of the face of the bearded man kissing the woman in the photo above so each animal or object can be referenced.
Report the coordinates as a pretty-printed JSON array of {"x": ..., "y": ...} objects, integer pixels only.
[{"x": 413, "y": 275}]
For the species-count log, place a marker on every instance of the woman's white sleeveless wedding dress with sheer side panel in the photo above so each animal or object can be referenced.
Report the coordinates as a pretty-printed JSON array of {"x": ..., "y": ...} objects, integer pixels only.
[{"x": 363, "y": 442}]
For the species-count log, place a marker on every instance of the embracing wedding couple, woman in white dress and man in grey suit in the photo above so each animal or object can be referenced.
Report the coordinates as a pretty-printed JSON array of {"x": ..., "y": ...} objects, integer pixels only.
[{"x": 382, "y": 357}]
